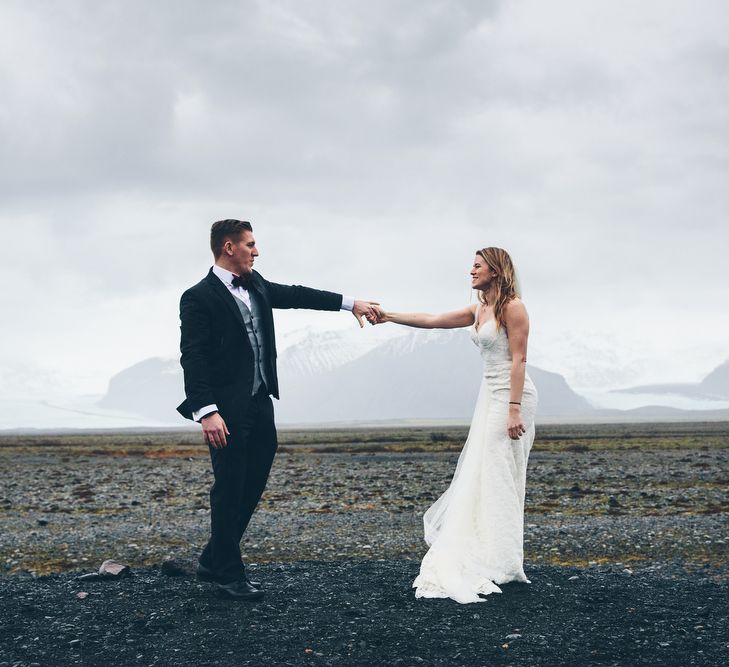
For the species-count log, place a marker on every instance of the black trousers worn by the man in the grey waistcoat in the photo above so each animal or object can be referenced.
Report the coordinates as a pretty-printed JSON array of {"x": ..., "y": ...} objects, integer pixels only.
[{"x": 241, "y": 471}]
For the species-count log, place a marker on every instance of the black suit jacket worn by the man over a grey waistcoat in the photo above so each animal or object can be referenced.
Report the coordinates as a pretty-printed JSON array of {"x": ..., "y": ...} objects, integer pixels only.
[{"x": 217, "y": 358}]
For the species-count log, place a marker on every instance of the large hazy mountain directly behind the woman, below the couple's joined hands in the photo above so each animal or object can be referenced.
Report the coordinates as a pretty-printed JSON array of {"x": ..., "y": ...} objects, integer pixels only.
[{"x": 422, "y": 375}]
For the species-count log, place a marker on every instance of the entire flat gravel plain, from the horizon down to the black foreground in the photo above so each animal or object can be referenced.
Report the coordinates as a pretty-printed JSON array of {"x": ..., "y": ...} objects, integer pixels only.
[{"x": 638, "y": 513}]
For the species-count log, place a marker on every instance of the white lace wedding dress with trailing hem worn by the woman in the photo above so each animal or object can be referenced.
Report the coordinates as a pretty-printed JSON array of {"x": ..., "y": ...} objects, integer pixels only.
[{"x": 475, "y": 530}]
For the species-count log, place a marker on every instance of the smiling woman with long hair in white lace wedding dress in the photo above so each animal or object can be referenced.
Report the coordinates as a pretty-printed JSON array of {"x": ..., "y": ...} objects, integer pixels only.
[{"x": 475, "y": 530}]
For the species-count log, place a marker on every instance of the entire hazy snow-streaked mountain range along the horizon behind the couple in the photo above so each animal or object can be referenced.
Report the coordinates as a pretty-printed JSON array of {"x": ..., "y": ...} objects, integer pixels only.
[{"x": 383, "y": 373}]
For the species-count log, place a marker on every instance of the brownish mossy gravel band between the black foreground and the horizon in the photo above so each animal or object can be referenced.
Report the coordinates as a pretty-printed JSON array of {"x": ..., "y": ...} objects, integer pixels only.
[{"x": 59, "y": 513}]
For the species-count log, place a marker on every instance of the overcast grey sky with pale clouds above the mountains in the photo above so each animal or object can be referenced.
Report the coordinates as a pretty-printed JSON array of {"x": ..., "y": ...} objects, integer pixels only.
[{"x": 374, "y": 146}]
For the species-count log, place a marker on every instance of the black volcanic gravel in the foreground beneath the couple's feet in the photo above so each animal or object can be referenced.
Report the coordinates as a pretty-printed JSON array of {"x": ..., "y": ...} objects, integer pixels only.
[{"x": 363, "y": 613}]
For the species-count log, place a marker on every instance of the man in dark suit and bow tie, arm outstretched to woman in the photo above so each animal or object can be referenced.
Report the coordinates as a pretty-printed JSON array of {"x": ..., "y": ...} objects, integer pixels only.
[{"x": 228, "y": 357}]
